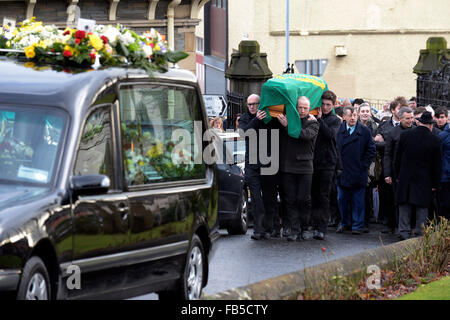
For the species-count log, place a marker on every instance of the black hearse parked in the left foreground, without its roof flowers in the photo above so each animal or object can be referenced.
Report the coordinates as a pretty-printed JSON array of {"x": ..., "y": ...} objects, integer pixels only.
[{"x": 99, "y": 195}]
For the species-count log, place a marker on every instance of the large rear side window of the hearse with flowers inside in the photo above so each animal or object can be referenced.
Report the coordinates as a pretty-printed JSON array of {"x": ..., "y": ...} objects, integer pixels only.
[{"x": 158, "y": 140}]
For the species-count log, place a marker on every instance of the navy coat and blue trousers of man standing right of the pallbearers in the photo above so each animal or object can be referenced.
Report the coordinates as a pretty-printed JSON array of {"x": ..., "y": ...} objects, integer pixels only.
[{"x": 357, "y": 151}]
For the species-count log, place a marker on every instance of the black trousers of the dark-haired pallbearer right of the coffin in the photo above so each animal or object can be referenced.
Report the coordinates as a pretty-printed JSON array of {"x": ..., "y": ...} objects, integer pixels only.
[{"x": 320, "y": 195}]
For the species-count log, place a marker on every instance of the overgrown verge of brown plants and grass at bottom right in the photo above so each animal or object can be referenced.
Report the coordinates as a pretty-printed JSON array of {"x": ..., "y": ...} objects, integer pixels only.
[{"x": 424, "y": 263}]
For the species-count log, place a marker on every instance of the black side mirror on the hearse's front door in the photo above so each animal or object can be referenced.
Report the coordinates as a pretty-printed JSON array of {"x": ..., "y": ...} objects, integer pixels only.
[{"x": 89, "y": 184}]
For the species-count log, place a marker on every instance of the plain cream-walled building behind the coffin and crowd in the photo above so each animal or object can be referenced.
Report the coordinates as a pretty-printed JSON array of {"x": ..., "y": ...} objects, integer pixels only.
[{"x": 362, "y": 48}]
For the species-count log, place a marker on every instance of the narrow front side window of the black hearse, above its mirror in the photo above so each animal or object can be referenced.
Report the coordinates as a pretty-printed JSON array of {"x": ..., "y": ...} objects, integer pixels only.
[{"x": 95, "y": 151}]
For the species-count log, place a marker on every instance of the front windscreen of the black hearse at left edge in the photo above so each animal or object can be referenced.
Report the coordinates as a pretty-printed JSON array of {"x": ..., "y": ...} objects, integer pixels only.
[{"x": 30, "y": 139}]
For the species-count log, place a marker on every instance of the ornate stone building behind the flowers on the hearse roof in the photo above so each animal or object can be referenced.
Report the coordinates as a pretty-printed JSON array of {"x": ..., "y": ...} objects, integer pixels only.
[{"x": 176, "y": 19}]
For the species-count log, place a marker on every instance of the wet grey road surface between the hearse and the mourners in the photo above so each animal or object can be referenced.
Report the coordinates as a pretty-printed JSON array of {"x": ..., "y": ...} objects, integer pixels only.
[{"x": 239, "y": 260}]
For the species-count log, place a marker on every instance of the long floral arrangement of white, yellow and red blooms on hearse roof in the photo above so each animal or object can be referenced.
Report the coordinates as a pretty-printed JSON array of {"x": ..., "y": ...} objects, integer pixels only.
[{"x": 111, "y": 45}]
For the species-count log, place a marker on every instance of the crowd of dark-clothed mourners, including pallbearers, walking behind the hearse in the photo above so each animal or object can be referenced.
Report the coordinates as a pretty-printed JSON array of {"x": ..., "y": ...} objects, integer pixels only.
[{"x": 351, "y": 165}]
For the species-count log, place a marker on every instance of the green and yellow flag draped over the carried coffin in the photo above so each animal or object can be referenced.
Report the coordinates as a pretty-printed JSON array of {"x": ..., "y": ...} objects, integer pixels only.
[{"x": 282, "y": 92}]
